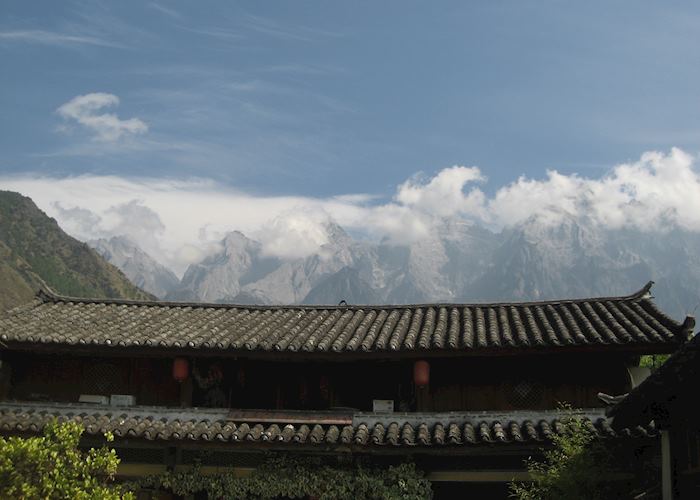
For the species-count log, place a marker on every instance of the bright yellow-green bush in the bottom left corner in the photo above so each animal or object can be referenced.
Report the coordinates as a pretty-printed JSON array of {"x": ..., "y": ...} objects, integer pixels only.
[{"x": 52, "y": 467}]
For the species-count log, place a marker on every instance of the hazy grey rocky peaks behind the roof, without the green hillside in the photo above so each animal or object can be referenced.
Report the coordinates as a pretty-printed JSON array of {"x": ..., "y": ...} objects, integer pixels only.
[{"x": 459, "y": 262}]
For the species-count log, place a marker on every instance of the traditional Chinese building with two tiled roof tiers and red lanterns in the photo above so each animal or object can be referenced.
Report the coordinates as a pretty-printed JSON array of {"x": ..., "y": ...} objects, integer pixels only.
[{"x": 465, "y": 390}]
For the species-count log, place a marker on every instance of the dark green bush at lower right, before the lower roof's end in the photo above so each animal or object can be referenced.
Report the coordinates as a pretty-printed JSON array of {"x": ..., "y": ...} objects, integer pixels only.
[{"x": 576, "y": 468}]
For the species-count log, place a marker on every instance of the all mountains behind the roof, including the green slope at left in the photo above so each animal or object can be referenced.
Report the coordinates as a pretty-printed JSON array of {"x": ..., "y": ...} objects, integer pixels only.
[{"x": 460, "y": 261}]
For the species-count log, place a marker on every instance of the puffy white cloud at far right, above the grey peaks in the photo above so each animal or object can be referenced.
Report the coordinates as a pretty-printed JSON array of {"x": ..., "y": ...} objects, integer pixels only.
[{"x": 656, "y": 192}]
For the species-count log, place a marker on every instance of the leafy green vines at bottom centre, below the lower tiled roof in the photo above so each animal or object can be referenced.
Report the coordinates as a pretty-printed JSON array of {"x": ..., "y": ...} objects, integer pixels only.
[{"x": 286, "y": 477}]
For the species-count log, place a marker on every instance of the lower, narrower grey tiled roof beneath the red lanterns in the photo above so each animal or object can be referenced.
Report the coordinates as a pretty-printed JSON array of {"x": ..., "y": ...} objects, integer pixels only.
[{"x": 161, "y": 424}]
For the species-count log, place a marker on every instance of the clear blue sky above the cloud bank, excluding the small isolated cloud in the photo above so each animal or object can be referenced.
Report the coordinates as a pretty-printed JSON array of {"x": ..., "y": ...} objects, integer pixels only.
[{"x": 328, "y": 98}]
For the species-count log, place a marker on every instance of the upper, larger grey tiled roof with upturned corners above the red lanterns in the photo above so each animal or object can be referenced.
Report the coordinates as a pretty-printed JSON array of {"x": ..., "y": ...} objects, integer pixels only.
[{"x": 632, "y": 321}]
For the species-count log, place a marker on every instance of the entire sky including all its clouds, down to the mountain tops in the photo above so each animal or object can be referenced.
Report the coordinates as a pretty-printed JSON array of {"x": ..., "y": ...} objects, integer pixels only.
[{"x": 175, "y": 122}]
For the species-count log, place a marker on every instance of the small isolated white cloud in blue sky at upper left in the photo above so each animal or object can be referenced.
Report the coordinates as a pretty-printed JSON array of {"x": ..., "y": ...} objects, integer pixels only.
[{"x": 88, "y": 111}]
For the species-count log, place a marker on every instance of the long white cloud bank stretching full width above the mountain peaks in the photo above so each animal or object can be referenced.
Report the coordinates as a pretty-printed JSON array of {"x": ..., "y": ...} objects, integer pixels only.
[{"x": 178, "y": 222}]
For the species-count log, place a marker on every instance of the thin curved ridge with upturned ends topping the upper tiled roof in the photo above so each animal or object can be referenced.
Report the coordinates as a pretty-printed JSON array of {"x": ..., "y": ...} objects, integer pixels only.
[{"x": 45, "y": 294}]
